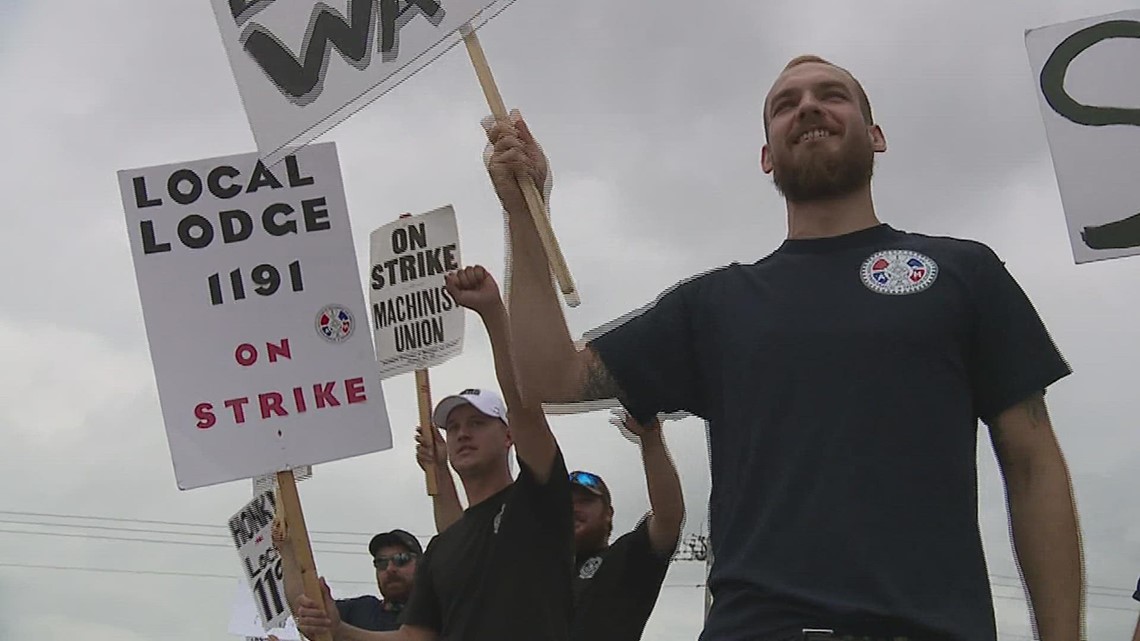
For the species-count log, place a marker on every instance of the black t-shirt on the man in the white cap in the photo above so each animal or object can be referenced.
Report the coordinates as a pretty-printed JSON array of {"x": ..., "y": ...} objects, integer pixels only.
[{"x": 503, "y": 571}]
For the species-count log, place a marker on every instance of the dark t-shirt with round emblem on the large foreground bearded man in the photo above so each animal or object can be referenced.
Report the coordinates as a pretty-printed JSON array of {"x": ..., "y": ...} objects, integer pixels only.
[{"x": 843, "y": 379}]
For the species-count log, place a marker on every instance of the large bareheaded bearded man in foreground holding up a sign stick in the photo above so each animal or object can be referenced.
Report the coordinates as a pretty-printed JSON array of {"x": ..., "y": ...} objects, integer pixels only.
[{"x": 842, "y": 378}]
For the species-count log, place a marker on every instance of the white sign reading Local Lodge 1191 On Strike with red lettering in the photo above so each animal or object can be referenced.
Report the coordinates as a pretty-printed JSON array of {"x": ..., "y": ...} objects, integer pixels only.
[{"x": 255, "y": 314}]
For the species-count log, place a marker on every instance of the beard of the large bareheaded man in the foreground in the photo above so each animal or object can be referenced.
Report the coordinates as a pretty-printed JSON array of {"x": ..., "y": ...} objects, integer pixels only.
[{"x": 825, "y": 176}]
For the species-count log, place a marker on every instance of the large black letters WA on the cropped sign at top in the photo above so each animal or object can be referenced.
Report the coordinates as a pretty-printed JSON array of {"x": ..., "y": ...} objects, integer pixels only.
[{"x": 302, "y": 79}]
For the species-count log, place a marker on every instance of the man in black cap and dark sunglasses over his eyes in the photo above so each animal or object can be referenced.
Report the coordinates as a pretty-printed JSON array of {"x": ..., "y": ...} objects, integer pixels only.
[{"x": 394, "y": 554}]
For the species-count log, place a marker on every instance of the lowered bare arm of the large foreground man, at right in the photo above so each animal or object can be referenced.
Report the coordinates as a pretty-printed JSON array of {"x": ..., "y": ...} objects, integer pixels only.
[{"x": 1044, "y": 517}]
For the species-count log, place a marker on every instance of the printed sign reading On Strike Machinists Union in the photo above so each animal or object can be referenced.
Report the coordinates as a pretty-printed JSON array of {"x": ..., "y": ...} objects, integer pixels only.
[{"x": 416, "y": 322}]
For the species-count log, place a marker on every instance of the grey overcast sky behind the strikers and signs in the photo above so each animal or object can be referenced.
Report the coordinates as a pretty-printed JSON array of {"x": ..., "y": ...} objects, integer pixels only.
[{"x": 650, "y": 112}]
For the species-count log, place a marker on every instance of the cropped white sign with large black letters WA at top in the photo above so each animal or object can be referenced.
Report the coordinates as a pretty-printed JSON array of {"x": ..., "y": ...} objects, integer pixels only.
[{"x": 304, "y": 67}]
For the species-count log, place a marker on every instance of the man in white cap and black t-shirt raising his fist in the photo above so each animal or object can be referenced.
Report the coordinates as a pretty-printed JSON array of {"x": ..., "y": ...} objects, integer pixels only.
[{"x": 503, "y": 571}]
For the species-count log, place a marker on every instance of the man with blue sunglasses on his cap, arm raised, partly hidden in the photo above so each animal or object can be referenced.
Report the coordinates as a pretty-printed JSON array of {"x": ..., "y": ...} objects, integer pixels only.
[{"x": 616, "y": 586}]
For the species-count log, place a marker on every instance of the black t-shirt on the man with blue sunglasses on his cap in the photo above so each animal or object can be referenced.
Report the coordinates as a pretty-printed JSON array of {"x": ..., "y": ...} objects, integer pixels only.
[{"x": 616, "y": 589}]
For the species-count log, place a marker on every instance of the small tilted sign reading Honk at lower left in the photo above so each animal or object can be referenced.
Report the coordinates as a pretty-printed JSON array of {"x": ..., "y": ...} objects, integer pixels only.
[{"x": 251, "y": 530}]
